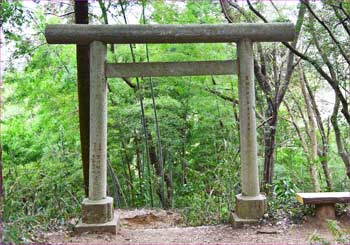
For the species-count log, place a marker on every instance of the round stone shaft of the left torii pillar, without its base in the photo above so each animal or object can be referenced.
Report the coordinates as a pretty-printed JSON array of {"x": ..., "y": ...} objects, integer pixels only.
[{"x": 98, "y": 123}]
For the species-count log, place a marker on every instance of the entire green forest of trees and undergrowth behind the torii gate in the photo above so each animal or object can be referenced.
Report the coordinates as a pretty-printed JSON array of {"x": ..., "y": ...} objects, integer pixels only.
[{"x": 173, "y": 142}]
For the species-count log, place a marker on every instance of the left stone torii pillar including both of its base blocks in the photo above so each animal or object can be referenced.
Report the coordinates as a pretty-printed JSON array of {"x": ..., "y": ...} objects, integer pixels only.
[{"x": 98, "y": 211}]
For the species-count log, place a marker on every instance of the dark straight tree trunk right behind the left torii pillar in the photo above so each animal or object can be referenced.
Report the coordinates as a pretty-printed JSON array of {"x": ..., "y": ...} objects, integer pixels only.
[{"x": 83, "y": 75}]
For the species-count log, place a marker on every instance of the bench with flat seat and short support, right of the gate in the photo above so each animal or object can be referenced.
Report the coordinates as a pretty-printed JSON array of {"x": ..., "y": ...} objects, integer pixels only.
[{"x": 324, "y": 202}]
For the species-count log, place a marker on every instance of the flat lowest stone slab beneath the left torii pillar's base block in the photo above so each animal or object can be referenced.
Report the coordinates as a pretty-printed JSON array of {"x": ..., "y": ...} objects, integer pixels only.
[{"x": 110, "y": 227}]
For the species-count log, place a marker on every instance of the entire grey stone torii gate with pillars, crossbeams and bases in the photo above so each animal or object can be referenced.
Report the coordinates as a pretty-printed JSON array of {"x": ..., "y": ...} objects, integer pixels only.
[{"x": 98, "y": 207}]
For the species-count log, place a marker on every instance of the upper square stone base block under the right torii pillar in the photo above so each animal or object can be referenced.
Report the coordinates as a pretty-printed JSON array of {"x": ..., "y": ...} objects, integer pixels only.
[{"x": 250, "y": 207}]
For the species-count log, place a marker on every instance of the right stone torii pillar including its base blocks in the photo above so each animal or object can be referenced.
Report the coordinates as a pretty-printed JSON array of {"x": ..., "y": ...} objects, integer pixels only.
[{"x": 250, "y": 204}]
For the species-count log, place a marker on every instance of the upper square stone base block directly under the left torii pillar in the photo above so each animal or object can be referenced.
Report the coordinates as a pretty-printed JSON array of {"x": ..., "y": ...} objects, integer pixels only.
[{"x": 97, "y": 212}]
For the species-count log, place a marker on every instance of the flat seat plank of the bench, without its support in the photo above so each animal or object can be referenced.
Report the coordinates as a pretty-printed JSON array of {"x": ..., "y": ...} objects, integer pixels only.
[{"x": 323, "y": 197}]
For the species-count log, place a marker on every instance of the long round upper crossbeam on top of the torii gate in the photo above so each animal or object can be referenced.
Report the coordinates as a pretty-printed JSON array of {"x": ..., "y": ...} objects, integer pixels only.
[{"x": 197, "y": 33}]
